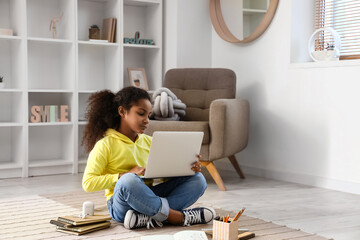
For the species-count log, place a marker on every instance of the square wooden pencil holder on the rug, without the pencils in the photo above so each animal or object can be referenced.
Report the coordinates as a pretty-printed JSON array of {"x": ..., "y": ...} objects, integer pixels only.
[{"x": 225, "y": 231}]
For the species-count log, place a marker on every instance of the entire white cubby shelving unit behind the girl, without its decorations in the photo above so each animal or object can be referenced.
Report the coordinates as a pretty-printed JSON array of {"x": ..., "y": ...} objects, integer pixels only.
[{"x": 41, "y": 70}]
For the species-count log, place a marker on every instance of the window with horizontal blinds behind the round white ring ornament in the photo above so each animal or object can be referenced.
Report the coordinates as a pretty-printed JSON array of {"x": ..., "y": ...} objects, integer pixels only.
[{"x": 344, "y": 17}]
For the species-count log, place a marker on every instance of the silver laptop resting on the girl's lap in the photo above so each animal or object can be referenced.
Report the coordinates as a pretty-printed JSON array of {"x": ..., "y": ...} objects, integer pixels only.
[{"x": 172, "y": 153}]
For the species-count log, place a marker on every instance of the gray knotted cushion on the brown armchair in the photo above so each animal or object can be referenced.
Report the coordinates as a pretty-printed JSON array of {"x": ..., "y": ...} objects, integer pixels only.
[{"x": 167, "y": 107}]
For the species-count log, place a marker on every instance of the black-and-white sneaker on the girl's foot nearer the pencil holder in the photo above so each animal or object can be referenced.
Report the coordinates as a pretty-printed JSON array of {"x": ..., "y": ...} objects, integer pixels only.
[{"x": 200, "y": 215}]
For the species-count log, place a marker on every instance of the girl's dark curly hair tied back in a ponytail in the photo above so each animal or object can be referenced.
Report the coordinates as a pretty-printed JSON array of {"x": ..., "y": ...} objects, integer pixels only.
[{"x": 102, "y": 112}]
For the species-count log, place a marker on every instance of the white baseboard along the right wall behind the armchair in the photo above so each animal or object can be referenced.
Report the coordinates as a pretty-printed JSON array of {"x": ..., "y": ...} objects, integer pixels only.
[{"x": 316, "y": 181}]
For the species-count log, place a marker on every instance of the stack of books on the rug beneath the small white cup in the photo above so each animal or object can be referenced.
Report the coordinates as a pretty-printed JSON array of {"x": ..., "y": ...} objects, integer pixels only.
[{"x": 78, "y": 226}]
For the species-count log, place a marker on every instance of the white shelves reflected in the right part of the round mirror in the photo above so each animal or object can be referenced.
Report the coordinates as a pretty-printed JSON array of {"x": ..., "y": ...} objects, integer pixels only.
[{"x": 253, "y": 12}]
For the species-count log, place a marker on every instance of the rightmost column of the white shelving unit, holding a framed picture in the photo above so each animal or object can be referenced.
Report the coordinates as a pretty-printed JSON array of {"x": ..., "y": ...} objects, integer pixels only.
[{"x": 145, "y": 17}]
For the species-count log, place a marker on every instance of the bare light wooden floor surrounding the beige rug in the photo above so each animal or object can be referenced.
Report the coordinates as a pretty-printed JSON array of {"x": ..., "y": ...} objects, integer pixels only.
[{"x": 328, "y": 213}]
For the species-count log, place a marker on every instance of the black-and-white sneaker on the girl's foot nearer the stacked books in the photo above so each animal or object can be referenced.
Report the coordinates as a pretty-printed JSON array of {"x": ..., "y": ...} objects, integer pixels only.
[{"x": 138, "y": 220}]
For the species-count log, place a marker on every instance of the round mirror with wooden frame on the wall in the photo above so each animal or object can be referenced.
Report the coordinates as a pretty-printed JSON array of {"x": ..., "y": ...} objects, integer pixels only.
[{"x": 254, "y": 17}]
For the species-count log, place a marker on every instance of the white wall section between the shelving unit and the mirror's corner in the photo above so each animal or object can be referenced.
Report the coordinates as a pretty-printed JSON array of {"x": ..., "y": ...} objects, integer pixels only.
[{"x": 187, "y": 34}]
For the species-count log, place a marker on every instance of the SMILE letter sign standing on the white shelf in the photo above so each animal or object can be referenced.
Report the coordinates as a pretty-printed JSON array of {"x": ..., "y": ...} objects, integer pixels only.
[{"x": 49, "y": 113}]
